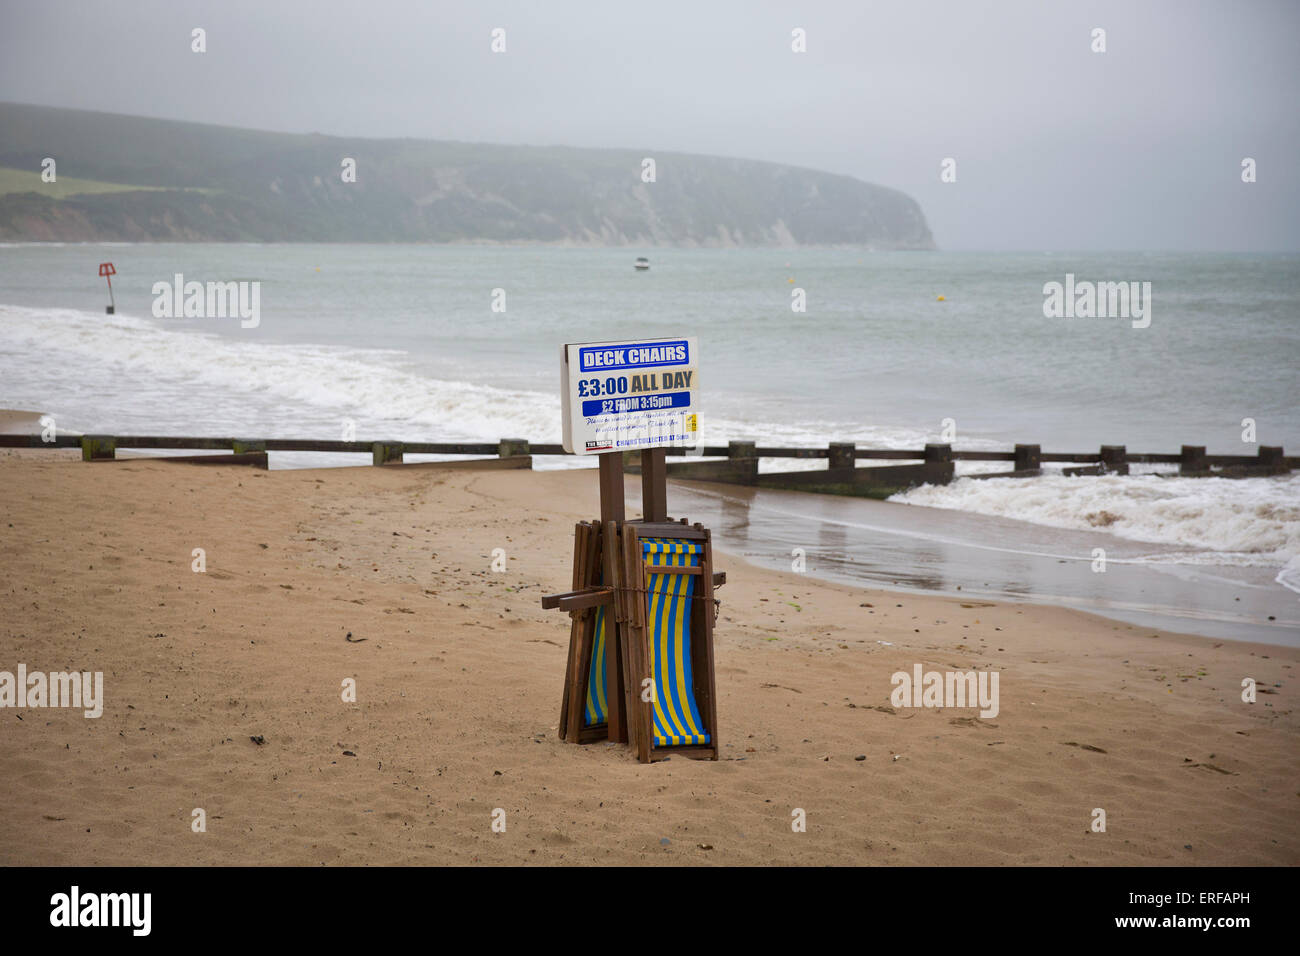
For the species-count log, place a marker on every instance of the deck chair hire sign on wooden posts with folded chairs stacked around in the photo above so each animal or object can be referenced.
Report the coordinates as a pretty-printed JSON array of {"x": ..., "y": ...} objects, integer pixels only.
[{"x": 617, "y": 397}]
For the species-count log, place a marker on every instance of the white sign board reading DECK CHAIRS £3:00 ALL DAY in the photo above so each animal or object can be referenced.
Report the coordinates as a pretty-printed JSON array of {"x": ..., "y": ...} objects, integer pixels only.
[{"x": 627, "y": 396}]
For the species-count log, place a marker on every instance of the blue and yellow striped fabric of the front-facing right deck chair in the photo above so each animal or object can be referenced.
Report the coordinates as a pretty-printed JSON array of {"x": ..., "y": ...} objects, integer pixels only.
[{"x": 677, "y": 719}]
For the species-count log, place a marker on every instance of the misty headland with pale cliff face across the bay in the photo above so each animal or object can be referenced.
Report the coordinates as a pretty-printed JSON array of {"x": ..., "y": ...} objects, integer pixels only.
[{"x": 224, "y": 184}]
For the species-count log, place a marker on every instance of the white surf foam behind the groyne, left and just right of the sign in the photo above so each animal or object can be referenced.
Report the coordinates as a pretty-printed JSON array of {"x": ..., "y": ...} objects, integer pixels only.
[{"x": 184, "y": 380}]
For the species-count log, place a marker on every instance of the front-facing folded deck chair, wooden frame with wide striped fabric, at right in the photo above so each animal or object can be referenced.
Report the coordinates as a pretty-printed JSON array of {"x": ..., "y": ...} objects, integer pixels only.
[{"x": 669, "y": 650}]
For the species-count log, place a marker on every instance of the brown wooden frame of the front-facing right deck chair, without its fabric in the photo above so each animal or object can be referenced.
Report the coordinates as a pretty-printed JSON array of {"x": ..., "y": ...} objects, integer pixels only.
[{"x": 638, "y": 651}]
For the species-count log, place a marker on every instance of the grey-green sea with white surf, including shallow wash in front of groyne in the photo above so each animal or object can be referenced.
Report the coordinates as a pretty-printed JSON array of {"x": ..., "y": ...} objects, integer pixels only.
[{"x": 431, "y": 343}]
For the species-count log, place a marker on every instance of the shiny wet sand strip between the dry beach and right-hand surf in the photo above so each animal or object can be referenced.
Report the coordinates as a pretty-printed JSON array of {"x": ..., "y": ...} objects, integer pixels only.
[{"x": 931, "y": 551}]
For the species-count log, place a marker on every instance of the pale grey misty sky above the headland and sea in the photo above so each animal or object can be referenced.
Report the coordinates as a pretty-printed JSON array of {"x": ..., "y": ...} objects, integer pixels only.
[{"x": 1058, "y": 148}]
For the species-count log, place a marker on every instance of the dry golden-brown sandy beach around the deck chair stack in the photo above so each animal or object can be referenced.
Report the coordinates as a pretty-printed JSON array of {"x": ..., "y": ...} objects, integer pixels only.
[{"x": 460, "y": 673}]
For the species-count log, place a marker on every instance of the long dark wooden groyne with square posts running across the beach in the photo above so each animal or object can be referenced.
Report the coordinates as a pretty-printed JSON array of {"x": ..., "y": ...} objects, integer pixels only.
[{"x": 734, "y": 464}]
